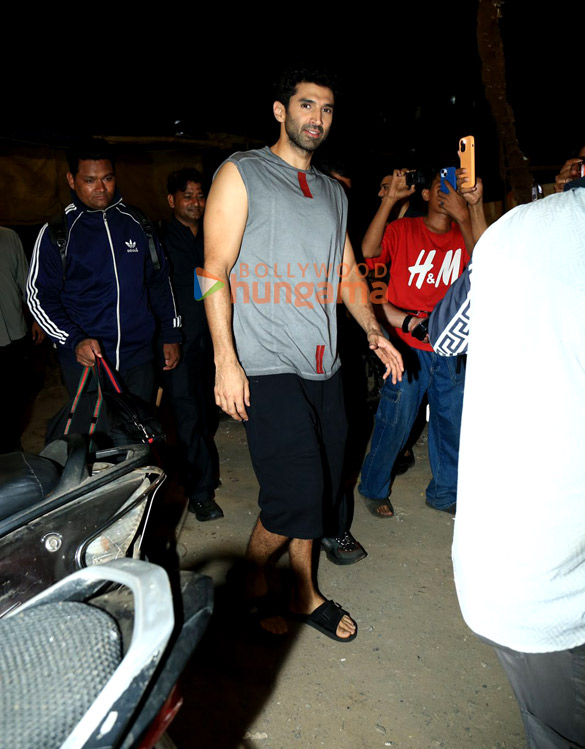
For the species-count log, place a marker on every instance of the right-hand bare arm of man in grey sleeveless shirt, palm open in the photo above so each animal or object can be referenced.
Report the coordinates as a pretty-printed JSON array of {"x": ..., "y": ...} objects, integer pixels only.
[{"x": 356, "y": 297}]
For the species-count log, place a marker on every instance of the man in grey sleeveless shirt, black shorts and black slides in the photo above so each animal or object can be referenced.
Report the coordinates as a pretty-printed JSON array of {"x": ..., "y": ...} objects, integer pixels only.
[{"x": 275, "y": 235}]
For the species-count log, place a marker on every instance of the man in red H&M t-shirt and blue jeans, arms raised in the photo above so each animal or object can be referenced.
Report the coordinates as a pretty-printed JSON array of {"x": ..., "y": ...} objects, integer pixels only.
[{"x": 426, "y": 255}]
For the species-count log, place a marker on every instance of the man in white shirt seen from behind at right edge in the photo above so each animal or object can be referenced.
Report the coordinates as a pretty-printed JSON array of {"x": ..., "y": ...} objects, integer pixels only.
[{"x": 519, "y": 541}]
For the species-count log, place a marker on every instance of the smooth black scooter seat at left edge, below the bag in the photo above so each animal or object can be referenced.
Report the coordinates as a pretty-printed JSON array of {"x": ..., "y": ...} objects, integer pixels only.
[{"x": 26, "y": 479}]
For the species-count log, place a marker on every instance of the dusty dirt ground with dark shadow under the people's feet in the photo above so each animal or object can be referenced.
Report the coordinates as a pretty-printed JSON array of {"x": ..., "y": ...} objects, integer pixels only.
[{"x": 414, "y": 678}]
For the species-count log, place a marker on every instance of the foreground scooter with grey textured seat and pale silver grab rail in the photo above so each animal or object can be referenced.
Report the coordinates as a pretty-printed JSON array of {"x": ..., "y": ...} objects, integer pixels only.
[{"x": 81, "y": 669}]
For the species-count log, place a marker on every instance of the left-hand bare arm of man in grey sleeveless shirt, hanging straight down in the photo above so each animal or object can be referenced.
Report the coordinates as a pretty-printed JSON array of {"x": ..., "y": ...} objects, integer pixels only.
[{"x": 224, "y": 223}]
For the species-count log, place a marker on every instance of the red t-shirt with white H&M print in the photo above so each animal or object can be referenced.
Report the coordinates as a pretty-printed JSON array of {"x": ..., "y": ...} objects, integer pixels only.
[{"x": 422, "y": 267}]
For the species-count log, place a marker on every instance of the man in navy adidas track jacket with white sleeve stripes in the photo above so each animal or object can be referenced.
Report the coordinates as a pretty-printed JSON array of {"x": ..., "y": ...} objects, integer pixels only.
[{"x": 106, "y": 297}]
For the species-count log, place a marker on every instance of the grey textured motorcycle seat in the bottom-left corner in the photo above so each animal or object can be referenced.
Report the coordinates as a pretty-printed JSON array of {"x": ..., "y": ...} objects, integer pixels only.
[{"x": 51, "y": 690}]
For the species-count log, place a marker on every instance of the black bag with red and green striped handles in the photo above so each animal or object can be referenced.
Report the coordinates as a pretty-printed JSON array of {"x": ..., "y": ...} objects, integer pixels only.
[{"x": 109, "y": 415}]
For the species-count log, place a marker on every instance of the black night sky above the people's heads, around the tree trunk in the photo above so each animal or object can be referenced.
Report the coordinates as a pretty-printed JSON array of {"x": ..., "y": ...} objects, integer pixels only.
[{"x": 410, "y": 74}]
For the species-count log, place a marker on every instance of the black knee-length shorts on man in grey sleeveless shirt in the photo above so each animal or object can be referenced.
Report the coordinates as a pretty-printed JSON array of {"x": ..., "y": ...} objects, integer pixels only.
[{"x": 296, "y": 433}]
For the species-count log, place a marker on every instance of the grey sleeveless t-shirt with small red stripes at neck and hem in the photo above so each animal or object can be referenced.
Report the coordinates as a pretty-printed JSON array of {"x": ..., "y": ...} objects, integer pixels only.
[{"x": 284, "y": 284}]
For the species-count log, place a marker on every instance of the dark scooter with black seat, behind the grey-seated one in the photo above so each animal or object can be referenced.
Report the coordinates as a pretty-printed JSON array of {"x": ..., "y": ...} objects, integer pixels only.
[{"x": 66, "y": 509}]
